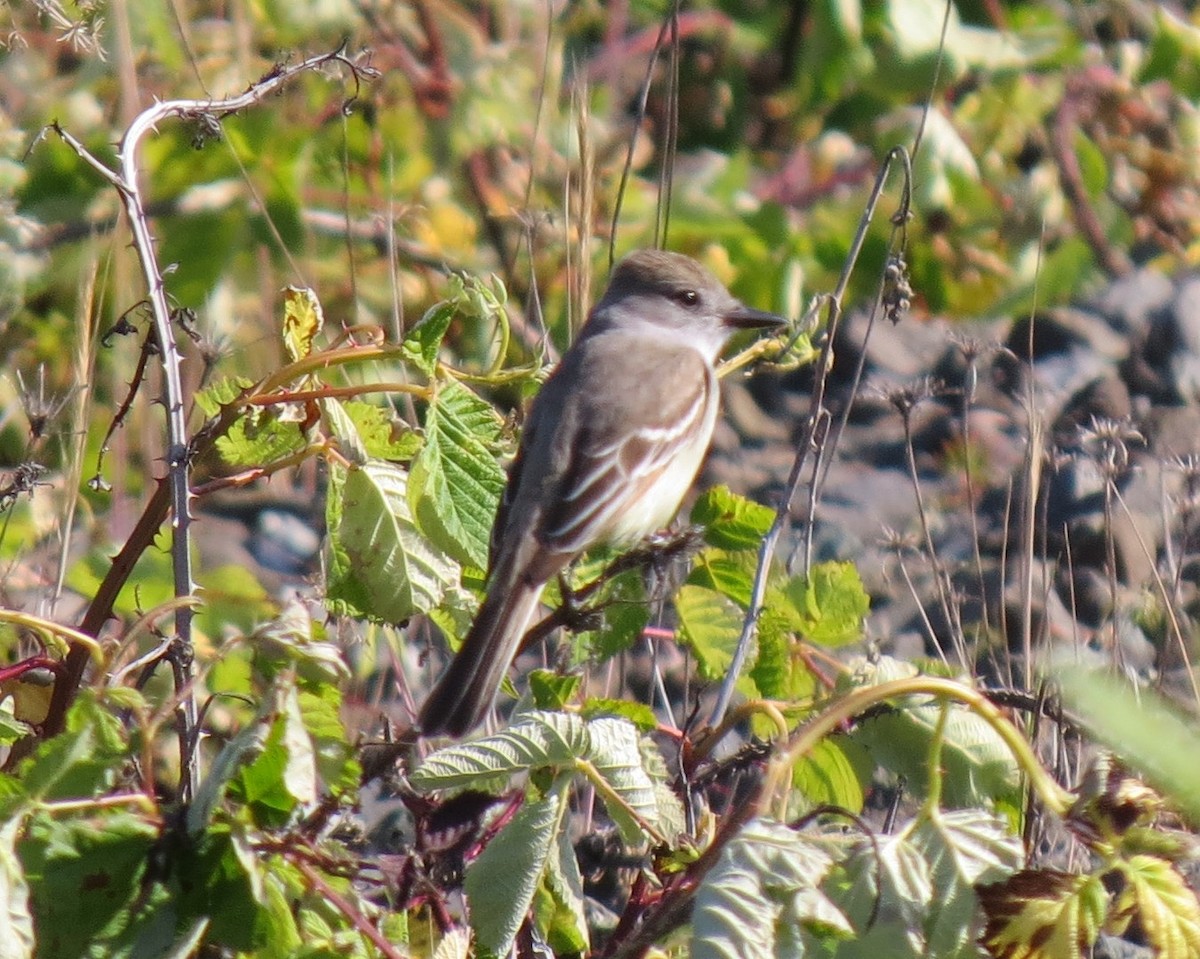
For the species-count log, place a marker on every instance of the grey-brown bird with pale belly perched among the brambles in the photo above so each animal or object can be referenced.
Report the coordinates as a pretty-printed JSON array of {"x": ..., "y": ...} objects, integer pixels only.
[{"x": 611, "y": 446}]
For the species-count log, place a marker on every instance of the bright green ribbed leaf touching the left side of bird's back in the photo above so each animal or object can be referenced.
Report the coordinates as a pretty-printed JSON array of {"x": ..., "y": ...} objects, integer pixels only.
[{"x": 455, "y": 486}]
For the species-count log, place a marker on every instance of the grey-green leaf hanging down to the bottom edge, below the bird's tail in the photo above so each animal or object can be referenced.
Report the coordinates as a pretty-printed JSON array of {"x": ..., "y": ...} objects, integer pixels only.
[{"x": 501, "y": 884}]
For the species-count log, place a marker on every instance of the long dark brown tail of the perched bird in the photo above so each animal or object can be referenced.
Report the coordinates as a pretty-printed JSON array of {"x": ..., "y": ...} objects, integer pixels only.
[{"x": 467, "y": 690}]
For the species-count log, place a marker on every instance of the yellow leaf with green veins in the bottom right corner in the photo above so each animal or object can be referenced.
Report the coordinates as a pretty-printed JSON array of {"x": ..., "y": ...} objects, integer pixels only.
[{"x": 1163, "y": 904}]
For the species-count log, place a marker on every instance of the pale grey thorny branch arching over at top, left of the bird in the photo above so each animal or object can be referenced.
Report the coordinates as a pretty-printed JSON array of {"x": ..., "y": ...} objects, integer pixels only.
[{"x": 124, "y": 178}]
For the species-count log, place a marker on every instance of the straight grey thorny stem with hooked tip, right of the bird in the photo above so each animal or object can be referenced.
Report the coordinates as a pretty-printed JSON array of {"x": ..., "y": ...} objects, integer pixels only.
[{"x": 818, "y": 416}]
